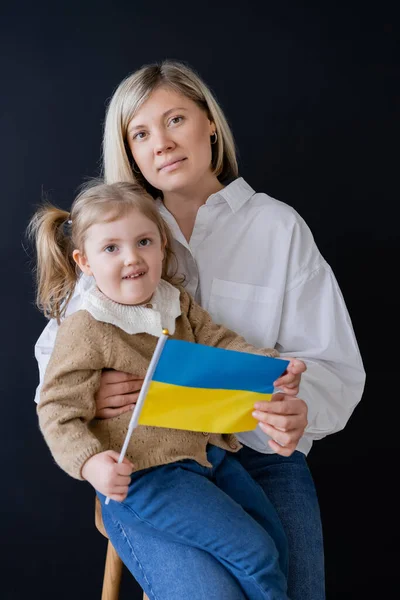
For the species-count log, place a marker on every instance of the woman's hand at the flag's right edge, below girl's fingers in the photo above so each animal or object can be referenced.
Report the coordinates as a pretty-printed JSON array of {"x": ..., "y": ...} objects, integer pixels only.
[{"x": 284, "y": 419}]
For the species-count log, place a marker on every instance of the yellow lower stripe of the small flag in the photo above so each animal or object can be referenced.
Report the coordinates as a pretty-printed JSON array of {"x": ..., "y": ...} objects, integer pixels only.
[{"x": 200, "y": 409}]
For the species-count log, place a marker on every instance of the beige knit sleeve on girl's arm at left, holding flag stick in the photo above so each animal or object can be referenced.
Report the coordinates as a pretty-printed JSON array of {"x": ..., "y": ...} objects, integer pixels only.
[{"x": 67, "y": 400}]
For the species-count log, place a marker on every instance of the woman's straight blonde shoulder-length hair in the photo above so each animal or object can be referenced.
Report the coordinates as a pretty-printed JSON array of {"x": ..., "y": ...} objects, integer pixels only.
[{"x": 129, "y": 96}]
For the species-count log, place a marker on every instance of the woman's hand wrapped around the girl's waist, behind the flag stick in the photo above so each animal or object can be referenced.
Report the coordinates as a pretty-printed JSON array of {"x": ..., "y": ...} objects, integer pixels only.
[{"x": 117, "y": 394}]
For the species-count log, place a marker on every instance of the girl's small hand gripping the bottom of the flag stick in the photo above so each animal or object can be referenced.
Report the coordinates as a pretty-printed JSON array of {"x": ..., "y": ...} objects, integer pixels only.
[{"x": 107, "y": 476}]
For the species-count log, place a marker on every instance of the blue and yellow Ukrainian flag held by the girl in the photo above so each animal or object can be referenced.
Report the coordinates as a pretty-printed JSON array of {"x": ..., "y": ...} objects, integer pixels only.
[{"x": 199, "y": 388}]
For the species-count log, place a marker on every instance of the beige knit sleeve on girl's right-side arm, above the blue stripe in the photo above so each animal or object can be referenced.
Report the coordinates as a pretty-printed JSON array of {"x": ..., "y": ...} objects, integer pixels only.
[{"x": 209, "y": 333}]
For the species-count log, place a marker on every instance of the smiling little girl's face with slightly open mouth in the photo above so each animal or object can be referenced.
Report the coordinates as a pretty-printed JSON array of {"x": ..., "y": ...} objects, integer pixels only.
[{"x": 125, "y": 257}]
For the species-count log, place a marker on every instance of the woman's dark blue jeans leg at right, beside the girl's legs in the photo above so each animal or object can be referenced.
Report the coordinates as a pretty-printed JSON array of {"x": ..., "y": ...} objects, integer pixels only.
[{"x": 289, "y": 485}]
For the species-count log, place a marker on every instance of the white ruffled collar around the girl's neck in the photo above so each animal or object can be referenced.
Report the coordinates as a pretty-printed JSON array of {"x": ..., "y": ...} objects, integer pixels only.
[{"x": 160, "y": 313}]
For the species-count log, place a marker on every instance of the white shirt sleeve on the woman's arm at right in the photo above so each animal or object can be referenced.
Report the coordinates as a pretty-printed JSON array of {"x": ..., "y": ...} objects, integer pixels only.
[{"x": 316, "y": 327}]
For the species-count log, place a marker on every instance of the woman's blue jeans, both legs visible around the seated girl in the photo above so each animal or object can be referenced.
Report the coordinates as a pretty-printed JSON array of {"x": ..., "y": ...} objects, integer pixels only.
[{"x": 184, "y": 572}]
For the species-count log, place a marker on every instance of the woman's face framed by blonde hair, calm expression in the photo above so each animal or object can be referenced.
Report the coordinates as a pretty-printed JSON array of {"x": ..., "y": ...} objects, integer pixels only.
[{"x": 169, "y": 138}]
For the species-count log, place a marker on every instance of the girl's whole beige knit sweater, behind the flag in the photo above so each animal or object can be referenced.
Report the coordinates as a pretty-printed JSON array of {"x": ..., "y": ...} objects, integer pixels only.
[{"x": 84, "y": 347}]
